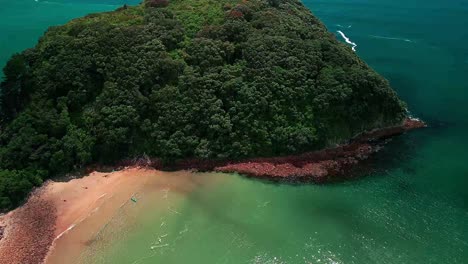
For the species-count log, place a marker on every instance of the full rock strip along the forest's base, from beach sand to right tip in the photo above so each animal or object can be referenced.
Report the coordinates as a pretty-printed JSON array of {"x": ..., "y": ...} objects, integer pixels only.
[{"x": 318, "y": 166}]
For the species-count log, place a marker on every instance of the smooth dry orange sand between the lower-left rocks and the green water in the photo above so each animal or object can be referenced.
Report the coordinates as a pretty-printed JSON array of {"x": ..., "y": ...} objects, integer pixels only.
[{"x": 85, "y": 205}]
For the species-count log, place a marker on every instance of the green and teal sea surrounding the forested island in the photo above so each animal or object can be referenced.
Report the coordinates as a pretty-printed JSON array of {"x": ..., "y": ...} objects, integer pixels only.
[{"x": 410, "y": 206}]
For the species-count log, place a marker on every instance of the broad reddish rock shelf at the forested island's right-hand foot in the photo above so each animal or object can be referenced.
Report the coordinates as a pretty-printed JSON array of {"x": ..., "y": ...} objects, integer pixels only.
[{"x": 324, "y": 165}]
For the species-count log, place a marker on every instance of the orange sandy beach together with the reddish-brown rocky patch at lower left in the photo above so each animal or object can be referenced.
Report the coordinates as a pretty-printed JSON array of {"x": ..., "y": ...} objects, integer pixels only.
[{"x": 35, "y": 232}]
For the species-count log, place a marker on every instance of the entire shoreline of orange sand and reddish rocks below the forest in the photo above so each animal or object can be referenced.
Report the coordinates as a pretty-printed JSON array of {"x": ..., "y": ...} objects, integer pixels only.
[{"x": 29, "y": 234}]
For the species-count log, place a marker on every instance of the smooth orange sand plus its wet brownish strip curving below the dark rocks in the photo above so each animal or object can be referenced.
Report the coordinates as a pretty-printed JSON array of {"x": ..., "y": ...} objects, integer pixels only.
[{"x": 111, "y": 193}]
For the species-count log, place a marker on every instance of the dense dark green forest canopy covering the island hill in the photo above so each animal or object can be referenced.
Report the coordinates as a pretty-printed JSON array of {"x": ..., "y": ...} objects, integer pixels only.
[{"x": 183, "y": 79}]
